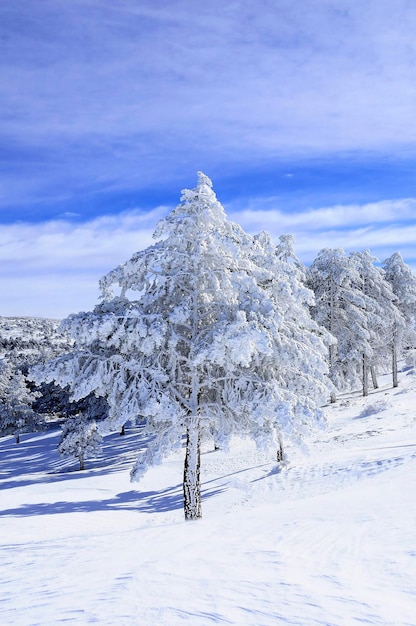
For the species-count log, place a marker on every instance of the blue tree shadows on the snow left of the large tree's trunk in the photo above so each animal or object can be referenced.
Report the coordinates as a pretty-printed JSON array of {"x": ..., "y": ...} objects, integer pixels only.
[{"x": 36, "y": 460}]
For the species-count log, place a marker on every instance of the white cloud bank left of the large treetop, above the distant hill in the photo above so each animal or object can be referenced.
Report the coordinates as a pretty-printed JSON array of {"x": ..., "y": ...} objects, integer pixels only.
[{"x": 52, "y": 269}]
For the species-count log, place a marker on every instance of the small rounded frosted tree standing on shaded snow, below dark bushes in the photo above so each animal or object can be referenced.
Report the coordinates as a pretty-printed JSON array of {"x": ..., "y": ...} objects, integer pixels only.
[{"x": 80, "y": 438}]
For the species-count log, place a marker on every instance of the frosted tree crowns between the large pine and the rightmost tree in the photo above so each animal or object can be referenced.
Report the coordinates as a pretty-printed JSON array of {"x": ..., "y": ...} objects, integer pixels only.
[{"x": 355, "y": 303}]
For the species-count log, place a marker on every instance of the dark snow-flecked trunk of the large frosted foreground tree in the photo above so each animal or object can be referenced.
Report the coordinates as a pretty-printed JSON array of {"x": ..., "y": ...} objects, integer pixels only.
[{"x": 191, "y": 474}]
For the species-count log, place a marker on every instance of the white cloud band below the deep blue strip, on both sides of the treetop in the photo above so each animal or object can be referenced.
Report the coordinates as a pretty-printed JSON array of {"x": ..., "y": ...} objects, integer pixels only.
[{"x": 52, "y": 269}]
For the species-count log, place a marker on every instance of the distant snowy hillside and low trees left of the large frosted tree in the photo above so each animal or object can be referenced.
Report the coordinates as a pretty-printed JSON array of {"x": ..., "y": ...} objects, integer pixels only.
[{"x": 25, "y": 407}]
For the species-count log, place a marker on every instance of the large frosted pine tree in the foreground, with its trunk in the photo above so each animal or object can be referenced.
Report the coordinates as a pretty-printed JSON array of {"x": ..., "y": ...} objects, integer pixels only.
[{"x": 216, "y": 342}]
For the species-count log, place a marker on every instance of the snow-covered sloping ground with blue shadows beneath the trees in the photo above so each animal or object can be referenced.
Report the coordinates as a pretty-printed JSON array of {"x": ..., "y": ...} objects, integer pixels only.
[{"x": 330, "y": 540}]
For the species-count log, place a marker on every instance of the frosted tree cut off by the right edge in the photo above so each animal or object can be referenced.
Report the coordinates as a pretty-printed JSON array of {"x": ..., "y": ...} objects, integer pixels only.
[{"x": 403, "y": 283}]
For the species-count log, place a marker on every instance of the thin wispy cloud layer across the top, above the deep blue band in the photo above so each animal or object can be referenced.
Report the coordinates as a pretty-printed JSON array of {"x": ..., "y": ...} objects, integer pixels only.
[{"x": 125, "y": 94}]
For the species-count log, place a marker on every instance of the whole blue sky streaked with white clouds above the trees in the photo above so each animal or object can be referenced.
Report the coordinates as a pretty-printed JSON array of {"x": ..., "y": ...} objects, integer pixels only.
[{"x": 302, "y": 113}]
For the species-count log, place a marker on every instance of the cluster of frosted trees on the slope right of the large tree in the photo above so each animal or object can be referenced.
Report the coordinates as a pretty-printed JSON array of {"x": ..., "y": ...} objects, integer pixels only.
[{"x": 370, "y": 310}]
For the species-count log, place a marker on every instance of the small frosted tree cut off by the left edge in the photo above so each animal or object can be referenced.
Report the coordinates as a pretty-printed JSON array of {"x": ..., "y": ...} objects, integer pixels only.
[{"x": 16, "y": 413}]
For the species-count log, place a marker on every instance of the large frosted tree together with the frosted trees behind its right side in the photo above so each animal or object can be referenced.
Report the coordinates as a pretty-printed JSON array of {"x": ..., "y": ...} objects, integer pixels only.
[{"x": 211, "y": 332}]
